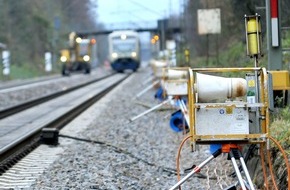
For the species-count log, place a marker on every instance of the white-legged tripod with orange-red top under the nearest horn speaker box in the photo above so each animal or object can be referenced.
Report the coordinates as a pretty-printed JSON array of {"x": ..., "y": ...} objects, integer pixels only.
[{"x": 234, "y": 154}]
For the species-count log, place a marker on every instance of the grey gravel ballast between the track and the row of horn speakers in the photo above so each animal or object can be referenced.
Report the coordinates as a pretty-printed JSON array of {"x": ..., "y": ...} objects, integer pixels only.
[{"x": 127, "y": 155}]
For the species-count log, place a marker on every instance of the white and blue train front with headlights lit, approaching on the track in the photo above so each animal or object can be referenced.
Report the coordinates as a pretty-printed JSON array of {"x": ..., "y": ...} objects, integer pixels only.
[{"x": 124, "y": 50}]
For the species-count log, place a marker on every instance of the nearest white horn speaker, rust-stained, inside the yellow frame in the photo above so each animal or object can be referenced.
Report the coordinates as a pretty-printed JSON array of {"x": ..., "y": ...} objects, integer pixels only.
[{"x": 210, "y": 88}]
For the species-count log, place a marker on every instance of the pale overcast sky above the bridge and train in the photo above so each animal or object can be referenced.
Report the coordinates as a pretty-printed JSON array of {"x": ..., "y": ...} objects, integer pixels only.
[{"x": 136, "y": 12}]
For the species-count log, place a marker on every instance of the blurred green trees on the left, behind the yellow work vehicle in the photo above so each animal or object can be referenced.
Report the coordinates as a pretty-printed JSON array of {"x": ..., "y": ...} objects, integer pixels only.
[{"x": 29, "y": 28}]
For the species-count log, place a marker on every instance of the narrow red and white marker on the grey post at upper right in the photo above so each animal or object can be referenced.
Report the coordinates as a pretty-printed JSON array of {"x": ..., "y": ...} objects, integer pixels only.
[{"x": 274, "y": 23}]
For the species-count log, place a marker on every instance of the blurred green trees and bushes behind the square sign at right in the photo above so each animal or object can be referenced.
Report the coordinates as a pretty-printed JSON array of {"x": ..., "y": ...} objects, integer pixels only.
[{"x": 226, "y": 49}]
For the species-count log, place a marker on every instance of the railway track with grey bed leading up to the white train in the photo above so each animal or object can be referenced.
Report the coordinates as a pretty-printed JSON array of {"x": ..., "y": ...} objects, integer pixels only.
[{"x": 21, "y": 127}]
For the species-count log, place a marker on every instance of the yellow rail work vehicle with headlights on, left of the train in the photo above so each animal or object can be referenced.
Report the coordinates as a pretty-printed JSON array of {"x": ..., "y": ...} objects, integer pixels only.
[{"x": 78, "y": 57}]
